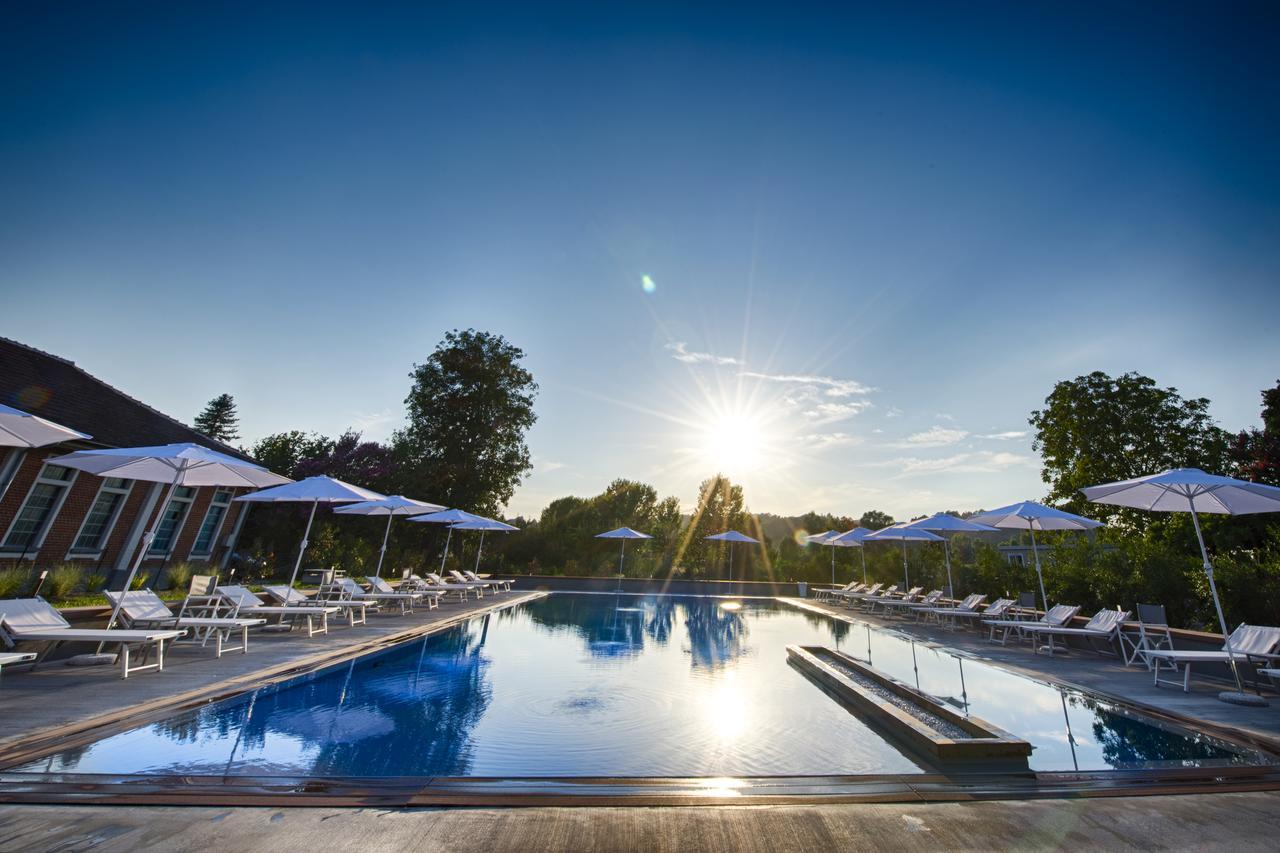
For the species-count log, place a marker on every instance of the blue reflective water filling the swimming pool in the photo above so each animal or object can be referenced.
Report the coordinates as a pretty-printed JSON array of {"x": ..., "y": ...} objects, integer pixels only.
[{"x": 620, "y": 686}]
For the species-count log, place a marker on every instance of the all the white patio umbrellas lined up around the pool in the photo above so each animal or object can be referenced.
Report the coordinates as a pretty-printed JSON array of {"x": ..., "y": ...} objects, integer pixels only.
[{"x": 193, "y": 466}]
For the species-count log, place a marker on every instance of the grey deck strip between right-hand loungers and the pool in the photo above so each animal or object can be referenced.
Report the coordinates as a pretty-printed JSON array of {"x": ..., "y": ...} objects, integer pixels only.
[{"x": 1089, "y": 670}]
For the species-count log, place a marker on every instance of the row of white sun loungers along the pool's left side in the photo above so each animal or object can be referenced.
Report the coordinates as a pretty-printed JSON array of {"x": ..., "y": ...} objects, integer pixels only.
[{"x": 221, "y": 615}]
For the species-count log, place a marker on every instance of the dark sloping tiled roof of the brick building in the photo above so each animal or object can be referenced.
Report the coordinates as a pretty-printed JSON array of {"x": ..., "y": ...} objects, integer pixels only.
[{"x": 60, "y": 391}]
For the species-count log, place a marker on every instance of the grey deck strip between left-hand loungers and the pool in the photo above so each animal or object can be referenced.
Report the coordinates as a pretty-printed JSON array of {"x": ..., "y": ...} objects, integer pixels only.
[{"x": 56, "y": 701}]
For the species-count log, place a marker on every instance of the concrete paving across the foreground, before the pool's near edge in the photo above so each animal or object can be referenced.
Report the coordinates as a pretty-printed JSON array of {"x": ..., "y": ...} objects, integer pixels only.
[{"x": 1235, "y": 823}]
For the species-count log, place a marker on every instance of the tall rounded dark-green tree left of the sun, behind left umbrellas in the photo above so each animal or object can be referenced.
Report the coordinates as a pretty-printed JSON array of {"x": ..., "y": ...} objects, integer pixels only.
[{"x": 469, "y": 410}]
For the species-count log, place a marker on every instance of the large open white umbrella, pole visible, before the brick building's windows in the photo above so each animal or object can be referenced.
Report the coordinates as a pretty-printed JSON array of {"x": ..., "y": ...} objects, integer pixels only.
[{"x": 179, "y": 466}]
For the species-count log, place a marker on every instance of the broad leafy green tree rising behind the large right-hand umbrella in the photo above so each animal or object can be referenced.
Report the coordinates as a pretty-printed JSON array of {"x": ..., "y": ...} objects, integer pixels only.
[{"x": 1098, "y": 430}]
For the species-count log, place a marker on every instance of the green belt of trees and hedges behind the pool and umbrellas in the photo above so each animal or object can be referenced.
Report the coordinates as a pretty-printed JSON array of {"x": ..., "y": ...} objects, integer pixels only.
[{"x": 470, "y": 407}]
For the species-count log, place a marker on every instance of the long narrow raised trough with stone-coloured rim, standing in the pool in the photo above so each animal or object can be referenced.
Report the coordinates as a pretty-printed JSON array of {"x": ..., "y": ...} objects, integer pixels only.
[{"x": 988, "y": 750}]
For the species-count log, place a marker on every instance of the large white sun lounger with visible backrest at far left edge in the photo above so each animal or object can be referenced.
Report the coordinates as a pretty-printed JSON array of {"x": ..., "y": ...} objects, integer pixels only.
[{"x": 35, "y": 621}]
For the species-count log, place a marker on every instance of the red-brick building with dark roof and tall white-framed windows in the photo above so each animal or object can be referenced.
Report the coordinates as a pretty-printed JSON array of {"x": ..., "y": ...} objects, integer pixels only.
[{"x": 51, "y": 514}]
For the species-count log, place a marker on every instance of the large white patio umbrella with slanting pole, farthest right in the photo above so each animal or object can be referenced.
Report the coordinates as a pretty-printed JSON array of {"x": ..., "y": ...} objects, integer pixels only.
[{"x": 1190, "y": 490}]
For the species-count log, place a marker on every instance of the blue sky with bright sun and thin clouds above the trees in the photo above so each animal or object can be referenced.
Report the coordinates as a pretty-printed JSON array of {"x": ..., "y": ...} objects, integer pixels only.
[{"x": 876, "y": 239}]
